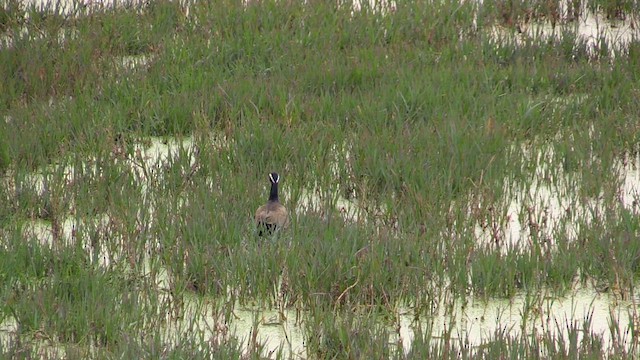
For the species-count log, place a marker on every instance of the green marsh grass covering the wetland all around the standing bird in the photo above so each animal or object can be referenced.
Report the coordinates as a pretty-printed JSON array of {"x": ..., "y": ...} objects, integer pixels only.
[{"x": 417, "y": 114}]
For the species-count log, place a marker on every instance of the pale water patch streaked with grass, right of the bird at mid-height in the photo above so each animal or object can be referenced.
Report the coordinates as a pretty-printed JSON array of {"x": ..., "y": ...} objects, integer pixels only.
[{"x": 550, "y": 205}]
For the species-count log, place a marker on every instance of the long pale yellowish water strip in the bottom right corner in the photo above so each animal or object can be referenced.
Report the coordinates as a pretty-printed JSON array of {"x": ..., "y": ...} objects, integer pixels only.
[{"x": 583, "y": 312}]
